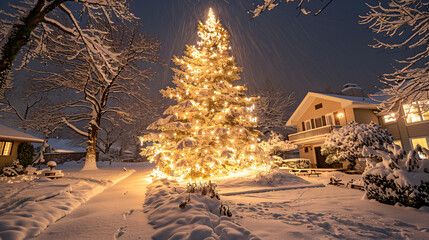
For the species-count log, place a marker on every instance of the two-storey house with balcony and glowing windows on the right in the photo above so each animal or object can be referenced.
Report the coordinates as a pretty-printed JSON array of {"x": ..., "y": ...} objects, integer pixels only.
[{"x": 319, "y": 113}]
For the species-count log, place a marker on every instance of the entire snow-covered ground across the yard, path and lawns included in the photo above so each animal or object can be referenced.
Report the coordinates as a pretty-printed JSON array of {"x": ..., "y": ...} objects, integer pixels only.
[{"x": 136, "y": 208}]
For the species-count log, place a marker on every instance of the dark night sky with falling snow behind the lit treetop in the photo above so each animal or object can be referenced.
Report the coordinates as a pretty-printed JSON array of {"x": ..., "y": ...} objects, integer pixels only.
[{"x": 298, "y": 53}]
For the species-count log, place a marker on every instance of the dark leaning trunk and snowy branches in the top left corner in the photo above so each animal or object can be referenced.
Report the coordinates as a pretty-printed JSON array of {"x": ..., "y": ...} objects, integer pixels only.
[{"x": 32, "y": 21}]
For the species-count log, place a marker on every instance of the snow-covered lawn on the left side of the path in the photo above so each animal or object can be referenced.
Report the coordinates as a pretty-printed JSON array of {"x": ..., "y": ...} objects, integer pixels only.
[{"x": 29, "y": 204}]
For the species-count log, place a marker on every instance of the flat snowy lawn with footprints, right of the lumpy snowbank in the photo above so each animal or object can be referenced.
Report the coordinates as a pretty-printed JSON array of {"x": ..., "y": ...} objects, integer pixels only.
[{"x": 328, "y": 212}]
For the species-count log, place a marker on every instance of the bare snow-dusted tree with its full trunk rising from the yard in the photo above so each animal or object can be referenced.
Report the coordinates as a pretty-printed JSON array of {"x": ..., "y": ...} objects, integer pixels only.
[{"x": 100, "y": 82}]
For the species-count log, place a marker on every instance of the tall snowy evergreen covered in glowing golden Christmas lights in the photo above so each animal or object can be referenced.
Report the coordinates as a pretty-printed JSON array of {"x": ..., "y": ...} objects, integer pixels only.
[{"x": 210, "y": 132}]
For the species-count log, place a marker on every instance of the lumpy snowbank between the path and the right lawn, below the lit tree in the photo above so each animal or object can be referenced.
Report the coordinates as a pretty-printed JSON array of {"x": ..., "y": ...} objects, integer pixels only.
[{"x": 200, "y": 219}]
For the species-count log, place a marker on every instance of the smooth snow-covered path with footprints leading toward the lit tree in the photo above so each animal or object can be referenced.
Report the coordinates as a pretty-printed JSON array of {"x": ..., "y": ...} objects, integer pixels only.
[{"x": 115, "y": 213}]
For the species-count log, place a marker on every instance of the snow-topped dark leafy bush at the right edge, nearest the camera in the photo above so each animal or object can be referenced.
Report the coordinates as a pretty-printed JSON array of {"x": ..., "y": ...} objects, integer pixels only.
[{"x": 399, "y": 178}]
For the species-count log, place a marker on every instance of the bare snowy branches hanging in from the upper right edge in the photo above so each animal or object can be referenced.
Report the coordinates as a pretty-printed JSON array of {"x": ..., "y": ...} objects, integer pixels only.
[{"x": 403, "y": 24}]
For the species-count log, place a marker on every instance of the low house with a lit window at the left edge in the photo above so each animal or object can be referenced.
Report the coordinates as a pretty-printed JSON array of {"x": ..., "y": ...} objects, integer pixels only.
[{"x": 9, "y": 140}]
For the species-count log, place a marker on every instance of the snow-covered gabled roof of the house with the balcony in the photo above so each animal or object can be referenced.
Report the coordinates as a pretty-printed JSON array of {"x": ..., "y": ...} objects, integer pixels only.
[{"x": 345, "y": 101}]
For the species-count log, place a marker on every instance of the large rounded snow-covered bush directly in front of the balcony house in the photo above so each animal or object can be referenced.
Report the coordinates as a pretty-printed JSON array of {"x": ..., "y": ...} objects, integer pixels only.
[{"x": 347, "y": 142}]
